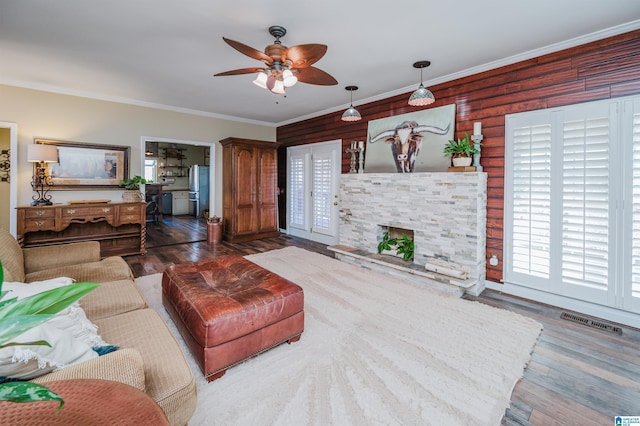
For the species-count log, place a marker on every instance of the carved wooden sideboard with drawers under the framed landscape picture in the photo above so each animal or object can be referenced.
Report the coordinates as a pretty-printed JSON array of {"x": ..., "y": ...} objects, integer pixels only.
[{"x": 119, "y": 227}]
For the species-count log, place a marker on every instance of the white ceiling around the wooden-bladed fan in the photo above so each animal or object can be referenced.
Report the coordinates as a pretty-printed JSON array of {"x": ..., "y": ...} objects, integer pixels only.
[{"x": 164, "y": 52}]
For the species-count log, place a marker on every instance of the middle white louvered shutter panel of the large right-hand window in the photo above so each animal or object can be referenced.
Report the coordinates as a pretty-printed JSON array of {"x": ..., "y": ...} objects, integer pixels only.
[{"x": 585, "y": 202}]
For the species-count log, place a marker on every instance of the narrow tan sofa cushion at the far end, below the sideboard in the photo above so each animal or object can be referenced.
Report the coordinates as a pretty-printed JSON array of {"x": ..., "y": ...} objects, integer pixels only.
[{"x": 108, "y": 269}]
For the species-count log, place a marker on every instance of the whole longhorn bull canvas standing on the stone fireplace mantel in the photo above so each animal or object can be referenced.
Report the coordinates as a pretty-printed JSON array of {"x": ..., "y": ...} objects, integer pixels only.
[{"x": 412, "y": 142}]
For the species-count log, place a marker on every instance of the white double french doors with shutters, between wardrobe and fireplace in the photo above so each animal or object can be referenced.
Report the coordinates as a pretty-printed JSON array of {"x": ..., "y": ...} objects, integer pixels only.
[{"x": 313, "y": 184}]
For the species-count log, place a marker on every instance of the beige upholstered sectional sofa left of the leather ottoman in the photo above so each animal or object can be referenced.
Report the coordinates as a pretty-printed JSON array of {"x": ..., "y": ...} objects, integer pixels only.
[{"x": 148, "y": 357}]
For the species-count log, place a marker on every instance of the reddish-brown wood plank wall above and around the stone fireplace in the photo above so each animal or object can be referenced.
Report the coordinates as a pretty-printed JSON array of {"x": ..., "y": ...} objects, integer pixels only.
[{"x": 602, "y": 69}]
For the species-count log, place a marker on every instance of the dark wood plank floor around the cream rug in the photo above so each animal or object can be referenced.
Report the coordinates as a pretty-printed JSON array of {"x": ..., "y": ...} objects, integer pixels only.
[{"x": 577, "y": 375}]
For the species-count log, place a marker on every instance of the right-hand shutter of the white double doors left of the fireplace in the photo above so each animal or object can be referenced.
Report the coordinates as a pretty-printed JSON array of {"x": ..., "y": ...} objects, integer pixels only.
[{"x": 322, "y": 178}]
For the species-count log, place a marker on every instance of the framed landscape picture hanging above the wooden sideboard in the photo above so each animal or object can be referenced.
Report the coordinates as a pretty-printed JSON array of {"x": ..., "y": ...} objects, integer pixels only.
[{"x": 87, "y": 166}]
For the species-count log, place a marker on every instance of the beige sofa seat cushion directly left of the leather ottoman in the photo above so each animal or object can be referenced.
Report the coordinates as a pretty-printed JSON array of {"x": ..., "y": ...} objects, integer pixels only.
[{"x": 112, "y": 298}]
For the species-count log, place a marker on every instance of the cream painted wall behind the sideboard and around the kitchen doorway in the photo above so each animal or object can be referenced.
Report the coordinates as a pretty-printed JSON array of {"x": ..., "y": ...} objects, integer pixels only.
[{"x": 71, "y": 118}]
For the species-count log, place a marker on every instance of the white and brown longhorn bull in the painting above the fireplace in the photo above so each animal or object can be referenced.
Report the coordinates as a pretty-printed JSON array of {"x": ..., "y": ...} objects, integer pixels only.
[{"x": 406, "y": 142}]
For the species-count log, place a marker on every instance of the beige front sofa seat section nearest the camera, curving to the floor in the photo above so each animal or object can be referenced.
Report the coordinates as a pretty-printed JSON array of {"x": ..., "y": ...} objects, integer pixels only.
[{"x": 170, "y": 381}]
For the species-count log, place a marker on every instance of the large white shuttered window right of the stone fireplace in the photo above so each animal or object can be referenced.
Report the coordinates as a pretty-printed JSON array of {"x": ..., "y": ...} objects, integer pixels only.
[{"x": 572, "y": 201}]
